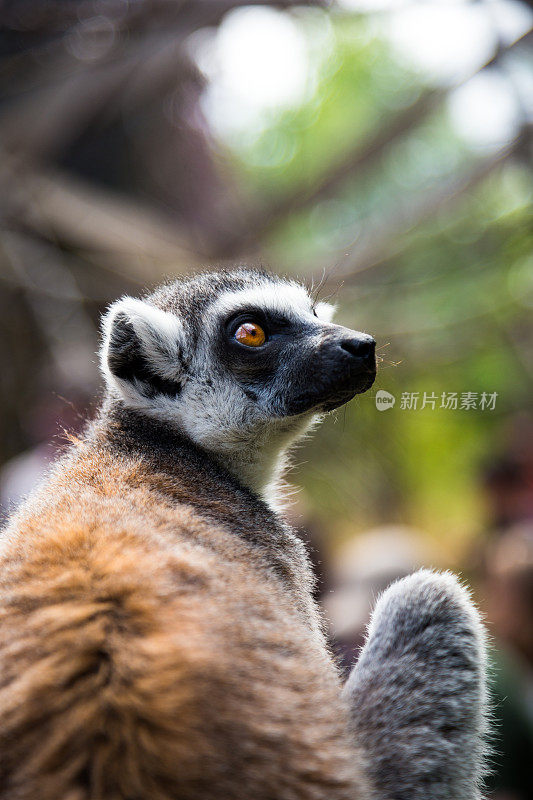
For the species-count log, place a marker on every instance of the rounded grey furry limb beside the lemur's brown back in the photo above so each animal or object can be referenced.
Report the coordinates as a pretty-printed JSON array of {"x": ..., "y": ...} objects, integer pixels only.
[{"x": 418, "y": 695}]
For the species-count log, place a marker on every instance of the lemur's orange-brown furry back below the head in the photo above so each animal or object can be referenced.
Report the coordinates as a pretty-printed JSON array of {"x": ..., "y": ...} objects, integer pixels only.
[{"x": 149, "y": 652}]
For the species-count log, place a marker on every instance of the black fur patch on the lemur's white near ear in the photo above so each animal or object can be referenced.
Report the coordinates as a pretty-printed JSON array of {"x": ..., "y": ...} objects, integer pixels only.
[{"x": 127, "y": 361}]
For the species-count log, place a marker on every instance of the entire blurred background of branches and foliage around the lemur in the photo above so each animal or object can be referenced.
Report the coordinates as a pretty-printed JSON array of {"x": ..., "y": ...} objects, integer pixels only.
[{"x": 381, "y": 151}]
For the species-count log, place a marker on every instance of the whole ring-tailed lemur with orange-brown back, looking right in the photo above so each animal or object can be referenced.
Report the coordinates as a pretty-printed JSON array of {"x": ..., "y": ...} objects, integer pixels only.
[{"x": 158, "y": 637}]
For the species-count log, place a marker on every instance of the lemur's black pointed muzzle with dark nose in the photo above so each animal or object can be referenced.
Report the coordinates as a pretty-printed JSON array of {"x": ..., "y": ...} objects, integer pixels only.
[{"x": 341, "y": 366}]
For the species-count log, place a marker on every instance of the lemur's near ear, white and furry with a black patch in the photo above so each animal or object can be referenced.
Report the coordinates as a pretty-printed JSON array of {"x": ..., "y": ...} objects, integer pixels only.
[{"x": 142, "y": 350}]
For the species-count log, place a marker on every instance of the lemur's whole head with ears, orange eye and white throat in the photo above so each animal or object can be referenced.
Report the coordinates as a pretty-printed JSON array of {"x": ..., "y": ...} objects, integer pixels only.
[{"x": 241, "y": 362}]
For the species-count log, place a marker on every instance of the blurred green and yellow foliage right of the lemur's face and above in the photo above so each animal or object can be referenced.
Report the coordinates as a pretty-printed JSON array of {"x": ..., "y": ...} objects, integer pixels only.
[{"x": 449, "y": 300}]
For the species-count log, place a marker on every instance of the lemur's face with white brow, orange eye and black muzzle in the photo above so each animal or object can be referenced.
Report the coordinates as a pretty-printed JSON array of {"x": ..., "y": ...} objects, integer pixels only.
[{"x": 285, "y": 355}]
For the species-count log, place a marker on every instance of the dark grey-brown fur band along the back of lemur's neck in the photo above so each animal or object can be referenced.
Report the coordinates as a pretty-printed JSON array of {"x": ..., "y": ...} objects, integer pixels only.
[{"x": 169, "y": 463}]
